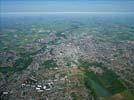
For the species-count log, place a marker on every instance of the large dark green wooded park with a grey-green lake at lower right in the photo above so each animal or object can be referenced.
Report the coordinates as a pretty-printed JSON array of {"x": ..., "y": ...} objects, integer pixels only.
[{"x": 104, "y": 85}]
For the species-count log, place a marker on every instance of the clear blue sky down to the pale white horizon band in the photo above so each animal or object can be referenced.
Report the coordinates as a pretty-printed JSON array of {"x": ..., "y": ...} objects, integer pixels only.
[{"x": 21, "y": 6}]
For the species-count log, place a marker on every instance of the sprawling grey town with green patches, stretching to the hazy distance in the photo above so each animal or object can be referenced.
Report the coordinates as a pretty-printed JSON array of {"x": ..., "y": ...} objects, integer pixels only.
[{"x": 66, "y": 59}]
